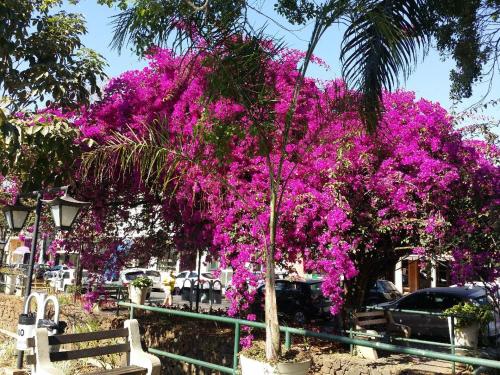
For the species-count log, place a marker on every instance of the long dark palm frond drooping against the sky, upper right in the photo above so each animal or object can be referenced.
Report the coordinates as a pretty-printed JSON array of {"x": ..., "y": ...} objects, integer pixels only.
[{"x": 381, "y": 43}]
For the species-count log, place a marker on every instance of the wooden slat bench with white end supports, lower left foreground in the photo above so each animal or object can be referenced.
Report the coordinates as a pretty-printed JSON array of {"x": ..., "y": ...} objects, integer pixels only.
[{"x": 139, "y": 362}]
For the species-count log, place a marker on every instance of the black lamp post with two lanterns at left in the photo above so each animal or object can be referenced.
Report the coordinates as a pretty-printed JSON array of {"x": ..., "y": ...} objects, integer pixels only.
[{"x": 64, "y": 210}]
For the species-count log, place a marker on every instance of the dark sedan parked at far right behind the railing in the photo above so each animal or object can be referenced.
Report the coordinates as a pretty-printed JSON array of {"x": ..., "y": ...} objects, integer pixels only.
[{"x": 437, "y": 300}]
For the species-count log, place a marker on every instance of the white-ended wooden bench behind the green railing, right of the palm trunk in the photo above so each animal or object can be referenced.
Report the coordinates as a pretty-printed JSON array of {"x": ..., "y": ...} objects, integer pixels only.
[{"x": 381, "y": 323}]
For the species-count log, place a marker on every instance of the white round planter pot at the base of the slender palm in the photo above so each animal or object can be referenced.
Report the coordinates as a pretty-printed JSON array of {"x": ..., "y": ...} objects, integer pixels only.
[{"x": 251, "y": 366}]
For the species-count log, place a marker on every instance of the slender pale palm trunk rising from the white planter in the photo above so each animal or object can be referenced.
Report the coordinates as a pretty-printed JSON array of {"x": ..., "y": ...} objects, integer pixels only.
[{"x": 273, "y": 347}]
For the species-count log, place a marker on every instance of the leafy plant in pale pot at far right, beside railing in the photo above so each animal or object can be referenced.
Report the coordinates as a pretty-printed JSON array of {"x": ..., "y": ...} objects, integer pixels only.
[{"x": 468, "y": 318}]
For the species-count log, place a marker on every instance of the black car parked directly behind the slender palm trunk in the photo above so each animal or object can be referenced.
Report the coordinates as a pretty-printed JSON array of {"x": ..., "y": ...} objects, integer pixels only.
[{"x": 298, "y": 301}]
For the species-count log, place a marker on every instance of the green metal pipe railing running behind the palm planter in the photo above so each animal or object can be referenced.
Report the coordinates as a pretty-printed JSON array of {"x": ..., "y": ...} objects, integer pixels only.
[{"x": 289, "y": 331}]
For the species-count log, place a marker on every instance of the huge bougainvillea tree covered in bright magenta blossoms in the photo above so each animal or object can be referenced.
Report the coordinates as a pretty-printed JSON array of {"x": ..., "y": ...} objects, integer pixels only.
[{"x": 347, "y": 204}]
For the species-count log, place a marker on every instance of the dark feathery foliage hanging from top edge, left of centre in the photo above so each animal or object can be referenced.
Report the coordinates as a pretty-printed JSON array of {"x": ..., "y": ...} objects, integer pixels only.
[{"x": 178, "y": 23}]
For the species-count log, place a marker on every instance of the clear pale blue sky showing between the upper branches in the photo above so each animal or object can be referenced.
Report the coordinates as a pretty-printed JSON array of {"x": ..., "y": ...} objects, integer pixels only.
[{"x": 429, "y": 80}]
